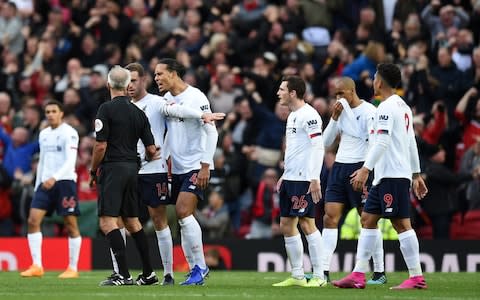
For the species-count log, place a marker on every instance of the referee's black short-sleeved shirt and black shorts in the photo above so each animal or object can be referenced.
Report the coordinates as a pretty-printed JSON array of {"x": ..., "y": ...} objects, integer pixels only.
[{"x": 121, "y": 124}]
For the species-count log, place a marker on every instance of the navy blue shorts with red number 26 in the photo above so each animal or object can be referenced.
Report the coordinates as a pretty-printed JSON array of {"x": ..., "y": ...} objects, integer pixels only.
[{"x": 294, "y": 201}]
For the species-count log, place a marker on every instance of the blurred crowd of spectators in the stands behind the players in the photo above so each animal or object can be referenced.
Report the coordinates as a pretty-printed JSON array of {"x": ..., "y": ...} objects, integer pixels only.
[{"x": 236, "y": 51}]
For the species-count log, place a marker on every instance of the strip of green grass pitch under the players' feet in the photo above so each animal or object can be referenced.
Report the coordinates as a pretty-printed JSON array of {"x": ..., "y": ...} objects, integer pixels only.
[{"x": 230, "y": 285}]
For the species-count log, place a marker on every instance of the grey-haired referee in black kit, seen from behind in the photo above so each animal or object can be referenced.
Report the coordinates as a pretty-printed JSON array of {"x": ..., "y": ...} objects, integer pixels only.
[{"x": 119, "y": 125}]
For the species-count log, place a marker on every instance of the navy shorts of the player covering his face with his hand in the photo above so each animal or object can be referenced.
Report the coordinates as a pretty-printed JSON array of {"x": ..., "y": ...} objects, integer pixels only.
[{"x": 339, "y": 188}]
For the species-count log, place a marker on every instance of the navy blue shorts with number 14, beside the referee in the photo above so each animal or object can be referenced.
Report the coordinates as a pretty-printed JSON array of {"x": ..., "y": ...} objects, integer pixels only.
[{"x": 153, "y": 189}]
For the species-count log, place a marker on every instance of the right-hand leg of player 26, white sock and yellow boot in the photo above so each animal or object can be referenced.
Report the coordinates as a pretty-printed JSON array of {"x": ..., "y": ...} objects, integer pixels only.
[{"x": 315, "y": 248}]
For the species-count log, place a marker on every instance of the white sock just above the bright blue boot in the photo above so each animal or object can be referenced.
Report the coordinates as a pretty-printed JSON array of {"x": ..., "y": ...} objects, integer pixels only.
[{"x": 192, "y": 244}]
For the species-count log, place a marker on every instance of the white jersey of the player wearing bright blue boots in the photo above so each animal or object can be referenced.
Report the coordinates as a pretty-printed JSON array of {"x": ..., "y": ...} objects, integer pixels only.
[{"x": 186, "y": 137}]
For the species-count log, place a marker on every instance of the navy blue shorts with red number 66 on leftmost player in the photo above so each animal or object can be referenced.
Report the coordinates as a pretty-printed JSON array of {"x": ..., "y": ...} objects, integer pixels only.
[{"x": 62, "y": 198}]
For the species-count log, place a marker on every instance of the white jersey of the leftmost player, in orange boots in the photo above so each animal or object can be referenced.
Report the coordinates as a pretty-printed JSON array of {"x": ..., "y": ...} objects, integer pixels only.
[{"x": 58, "y": 154}]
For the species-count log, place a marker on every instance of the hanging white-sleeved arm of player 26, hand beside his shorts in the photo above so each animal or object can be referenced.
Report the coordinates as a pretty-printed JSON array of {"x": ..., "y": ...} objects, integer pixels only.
[{"x": 313, "y": 127}]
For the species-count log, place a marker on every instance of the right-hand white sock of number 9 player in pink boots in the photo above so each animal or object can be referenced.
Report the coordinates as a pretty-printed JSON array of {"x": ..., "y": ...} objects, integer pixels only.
[{"x": 411, "y": 252}]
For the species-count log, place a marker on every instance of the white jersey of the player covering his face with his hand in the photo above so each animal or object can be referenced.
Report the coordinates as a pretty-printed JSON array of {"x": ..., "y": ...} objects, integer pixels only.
[{"x": 353, "y": 149}]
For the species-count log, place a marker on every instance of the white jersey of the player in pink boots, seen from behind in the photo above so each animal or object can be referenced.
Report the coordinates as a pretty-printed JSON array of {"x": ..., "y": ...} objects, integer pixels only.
[{"x": 394, "y": 117}]
